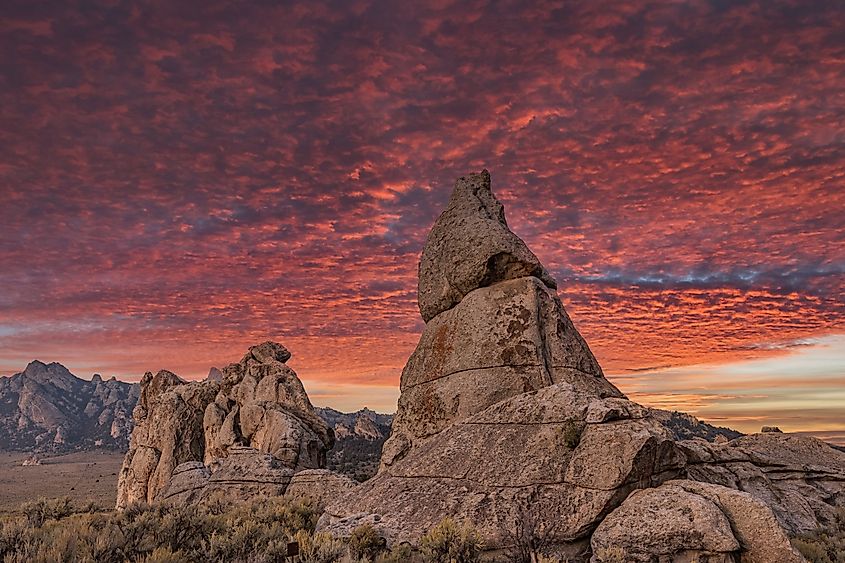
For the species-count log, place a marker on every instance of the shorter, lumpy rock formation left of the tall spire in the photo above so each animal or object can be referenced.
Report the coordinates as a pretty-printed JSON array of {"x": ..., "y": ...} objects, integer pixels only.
[{"x": 244, "y": 435}]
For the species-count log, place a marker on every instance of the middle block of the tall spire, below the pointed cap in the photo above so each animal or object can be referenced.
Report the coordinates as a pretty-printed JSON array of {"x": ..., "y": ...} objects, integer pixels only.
[{"x": 500, "y": 341}]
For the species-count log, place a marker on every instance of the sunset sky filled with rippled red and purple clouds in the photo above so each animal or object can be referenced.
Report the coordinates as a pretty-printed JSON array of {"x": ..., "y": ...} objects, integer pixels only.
[{"x": 181, "y": 180}]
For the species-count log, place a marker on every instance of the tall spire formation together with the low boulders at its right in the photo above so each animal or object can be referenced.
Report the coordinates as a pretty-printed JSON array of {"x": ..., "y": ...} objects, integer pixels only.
[{"x": 505, "y": 418}]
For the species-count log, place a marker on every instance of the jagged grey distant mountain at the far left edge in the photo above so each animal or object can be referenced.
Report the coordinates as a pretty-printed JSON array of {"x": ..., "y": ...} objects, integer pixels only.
[{"x": 47, "y": 408}]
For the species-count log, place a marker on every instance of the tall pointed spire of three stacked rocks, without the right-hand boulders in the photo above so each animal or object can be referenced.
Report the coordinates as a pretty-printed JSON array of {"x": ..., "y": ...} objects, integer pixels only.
[{"x": 503, "y": 405}]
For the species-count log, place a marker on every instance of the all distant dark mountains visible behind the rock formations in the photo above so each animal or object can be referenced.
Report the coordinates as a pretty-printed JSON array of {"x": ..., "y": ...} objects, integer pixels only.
[{"x": 46, "y": 408}]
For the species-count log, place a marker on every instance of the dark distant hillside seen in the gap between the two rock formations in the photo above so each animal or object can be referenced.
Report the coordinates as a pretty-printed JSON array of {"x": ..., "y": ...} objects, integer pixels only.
[{"x": 359, "y": 439}]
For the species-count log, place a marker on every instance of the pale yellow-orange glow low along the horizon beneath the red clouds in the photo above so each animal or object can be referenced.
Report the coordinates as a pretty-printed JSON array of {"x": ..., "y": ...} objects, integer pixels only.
[{"x": 800, "y": 389}]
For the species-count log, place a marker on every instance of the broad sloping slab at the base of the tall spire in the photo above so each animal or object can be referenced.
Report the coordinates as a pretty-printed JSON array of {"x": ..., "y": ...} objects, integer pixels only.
[{"x": 570, "y": 457}]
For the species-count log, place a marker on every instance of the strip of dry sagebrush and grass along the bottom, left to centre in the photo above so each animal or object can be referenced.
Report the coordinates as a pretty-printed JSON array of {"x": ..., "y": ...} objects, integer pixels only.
[{"x": 57, "y": 530}]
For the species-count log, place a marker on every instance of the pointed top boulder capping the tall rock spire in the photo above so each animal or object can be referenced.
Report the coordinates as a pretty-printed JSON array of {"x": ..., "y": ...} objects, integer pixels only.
[{"x": 470, "y": 246}]
